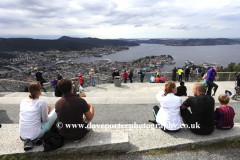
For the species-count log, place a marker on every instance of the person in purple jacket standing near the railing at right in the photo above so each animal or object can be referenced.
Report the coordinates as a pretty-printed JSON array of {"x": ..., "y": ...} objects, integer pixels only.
[{"x": 211, "y": 75}]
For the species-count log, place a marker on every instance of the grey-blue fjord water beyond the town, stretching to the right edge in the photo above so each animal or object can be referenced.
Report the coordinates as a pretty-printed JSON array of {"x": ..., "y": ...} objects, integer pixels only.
[{"x": 222, "y": 54}]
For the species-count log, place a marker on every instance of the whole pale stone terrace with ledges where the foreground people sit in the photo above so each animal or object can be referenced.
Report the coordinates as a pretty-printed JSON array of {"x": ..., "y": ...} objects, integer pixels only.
[{"x": 128, "y": 104}]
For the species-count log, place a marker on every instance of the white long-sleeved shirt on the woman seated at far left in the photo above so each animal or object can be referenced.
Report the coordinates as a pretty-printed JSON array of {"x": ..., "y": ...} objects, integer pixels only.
[{"x": 31, "y": 113}]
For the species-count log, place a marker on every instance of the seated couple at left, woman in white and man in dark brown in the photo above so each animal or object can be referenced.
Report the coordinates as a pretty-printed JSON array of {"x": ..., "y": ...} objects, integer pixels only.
[{"x": 36, "y": 118}]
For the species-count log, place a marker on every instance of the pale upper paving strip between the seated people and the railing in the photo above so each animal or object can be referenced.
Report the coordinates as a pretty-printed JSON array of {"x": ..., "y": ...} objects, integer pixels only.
[{"x": 134, "y": 93}]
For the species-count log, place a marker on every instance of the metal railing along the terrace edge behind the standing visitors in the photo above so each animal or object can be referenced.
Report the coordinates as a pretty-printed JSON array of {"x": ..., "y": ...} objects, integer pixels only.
[{"x": 7, "y": 85}]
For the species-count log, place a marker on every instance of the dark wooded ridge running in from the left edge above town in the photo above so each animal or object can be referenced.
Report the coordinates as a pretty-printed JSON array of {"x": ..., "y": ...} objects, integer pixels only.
[{"x": 28, "y": 44}]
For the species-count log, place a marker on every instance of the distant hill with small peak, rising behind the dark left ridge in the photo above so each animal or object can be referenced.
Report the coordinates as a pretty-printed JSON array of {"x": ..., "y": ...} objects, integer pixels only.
[{"x": 102, "y": 42}]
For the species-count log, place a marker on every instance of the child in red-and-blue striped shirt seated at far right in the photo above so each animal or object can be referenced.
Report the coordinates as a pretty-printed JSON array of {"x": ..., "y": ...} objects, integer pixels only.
[{"x": 224, "y": 115}]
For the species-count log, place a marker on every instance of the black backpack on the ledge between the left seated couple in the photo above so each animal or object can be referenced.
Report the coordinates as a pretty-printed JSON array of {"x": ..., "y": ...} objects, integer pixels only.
[{"x": 52, "y": 140}]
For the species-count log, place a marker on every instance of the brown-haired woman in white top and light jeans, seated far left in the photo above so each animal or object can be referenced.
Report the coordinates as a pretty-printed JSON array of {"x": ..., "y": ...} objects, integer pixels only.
[{"x": 32, "y": 111}]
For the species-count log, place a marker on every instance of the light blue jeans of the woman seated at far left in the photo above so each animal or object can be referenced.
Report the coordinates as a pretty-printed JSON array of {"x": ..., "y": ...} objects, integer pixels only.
[{"x": 46, "y": 126}]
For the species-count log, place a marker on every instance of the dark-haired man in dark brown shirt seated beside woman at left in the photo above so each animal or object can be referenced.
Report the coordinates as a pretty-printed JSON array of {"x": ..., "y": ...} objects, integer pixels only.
[{"x": 71, "y": 109}]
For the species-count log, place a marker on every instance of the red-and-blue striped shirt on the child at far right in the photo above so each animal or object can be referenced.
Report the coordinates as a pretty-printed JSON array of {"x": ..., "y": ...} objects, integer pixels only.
[{"x": 224, "y": 117}]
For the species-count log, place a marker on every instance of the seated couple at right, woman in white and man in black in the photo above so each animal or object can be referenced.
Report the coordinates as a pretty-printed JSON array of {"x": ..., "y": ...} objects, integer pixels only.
[{"x": 172, "y": 112}]
